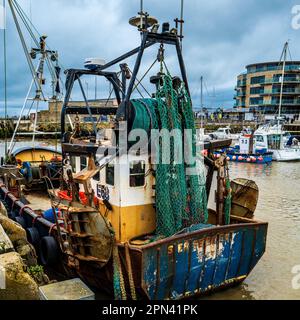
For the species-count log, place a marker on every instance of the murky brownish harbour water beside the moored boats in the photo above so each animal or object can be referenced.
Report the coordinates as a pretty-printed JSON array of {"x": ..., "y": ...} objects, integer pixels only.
[{"x": 279, "y": 204}]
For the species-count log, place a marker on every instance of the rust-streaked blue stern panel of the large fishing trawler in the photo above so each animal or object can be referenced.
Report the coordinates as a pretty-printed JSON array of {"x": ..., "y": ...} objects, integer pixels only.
[{"x": 202, "y": 261}]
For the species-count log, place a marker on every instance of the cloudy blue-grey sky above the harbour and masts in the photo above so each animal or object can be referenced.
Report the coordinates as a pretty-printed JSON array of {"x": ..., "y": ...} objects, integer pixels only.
[{"x": 221, "y": 38}]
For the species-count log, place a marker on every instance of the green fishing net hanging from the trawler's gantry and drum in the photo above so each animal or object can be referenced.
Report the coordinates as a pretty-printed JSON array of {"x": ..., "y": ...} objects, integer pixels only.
[{"x": 181, "y": 199}]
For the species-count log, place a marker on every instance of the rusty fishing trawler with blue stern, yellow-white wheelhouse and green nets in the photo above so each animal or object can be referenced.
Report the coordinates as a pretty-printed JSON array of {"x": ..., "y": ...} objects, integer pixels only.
[{"x": 125, "y": 220}]
